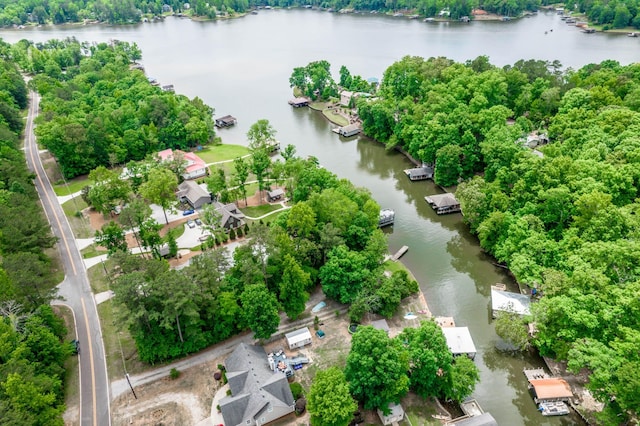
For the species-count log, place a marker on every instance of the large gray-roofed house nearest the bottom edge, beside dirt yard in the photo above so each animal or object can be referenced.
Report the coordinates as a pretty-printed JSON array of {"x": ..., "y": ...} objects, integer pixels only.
[{"x": 258, "y": 395}]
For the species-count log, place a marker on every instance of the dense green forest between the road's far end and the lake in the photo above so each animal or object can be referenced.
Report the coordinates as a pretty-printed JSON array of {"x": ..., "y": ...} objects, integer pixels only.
[{"x": 96, "y": 110}]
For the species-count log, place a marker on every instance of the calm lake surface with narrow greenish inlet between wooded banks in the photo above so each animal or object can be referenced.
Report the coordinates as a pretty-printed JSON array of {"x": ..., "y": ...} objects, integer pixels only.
[{"x": 242, "y": 67}]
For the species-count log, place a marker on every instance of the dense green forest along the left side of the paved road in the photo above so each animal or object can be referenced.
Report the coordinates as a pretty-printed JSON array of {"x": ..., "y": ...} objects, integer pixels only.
[{"x": 32, "y": 353}]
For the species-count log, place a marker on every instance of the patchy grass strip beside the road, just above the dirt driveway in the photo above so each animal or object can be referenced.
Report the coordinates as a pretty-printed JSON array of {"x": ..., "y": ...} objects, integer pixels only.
[{"x": 114, "y": 339}]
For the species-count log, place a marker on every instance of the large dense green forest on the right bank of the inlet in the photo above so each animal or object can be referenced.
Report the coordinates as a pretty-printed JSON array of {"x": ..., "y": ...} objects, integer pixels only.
[{"x": 563, "y": 218}]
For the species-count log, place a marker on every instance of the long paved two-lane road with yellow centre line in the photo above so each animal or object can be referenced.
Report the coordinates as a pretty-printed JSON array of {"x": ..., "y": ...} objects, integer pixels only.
[{"x": 75, "y": 291}]
